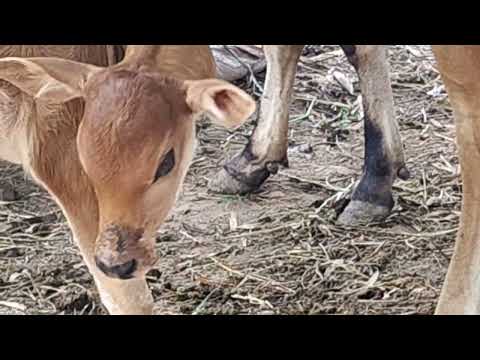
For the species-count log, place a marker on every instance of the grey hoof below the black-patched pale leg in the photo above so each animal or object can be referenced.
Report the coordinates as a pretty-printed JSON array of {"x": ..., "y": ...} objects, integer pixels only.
[{"x": 362, "y": 213}]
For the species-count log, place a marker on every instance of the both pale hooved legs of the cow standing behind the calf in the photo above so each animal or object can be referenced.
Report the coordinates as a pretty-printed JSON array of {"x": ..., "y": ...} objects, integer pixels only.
[{"x": 384, "y": 159}]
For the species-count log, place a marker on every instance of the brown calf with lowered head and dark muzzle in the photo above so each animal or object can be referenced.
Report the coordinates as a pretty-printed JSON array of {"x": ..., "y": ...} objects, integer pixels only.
[{"x": 112, "y": 145}]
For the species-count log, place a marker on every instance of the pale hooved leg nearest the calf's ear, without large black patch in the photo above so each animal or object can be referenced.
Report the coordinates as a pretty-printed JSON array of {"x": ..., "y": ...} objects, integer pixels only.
[{"x": 268, "y": 146}]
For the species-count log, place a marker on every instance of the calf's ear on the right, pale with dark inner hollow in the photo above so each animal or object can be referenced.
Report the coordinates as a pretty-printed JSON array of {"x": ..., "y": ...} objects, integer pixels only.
[{"x": 224, "y": 103}]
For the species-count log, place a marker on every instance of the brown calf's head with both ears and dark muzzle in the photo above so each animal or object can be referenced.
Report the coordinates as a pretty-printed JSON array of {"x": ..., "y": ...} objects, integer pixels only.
[{"x": 135, "y": 143}]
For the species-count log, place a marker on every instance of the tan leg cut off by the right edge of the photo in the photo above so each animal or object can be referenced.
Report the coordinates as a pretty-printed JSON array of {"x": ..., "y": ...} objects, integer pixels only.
[{"x": 460, "y": 68}]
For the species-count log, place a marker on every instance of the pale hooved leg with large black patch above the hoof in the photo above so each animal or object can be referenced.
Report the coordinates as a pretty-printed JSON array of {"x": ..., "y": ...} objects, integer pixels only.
[{"x": 384, "y": 160}]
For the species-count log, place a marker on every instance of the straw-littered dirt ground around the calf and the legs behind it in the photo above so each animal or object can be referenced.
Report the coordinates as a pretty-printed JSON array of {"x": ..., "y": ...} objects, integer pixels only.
[{"x": 277, "y": 251}]
